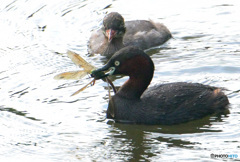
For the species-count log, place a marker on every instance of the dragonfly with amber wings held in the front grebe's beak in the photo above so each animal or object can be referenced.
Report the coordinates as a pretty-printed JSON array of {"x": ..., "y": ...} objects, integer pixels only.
[{"x": 79, "y": 74}]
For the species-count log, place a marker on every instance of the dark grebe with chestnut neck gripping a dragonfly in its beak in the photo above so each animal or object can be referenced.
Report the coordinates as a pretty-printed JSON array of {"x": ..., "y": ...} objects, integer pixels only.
[{"x": 171, "y": 103}]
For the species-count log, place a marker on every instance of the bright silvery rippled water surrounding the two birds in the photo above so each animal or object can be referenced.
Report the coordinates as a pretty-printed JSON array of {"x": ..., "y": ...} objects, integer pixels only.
[{"x": 38, "y": 118}]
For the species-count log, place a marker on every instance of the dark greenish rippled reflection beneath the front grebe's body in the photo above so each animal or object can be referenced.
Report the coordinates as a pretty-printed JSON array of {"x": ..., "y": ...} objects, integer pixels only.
[{"x": 138, "y": 142}]
